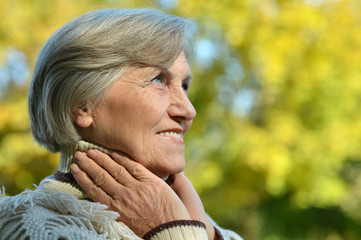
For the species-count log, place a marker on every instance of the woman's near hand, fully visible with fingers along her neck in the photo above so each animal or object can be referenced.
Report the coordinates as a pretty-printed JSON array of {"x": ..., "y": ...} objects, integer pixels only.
[{"x": 143, "y": 200}]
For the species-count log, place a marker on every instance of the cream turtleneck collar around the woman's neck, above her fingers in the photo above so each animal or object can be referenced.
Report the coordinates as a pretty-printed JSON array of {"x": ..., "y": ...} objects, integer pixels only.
[{"x": 67, "y": 154}]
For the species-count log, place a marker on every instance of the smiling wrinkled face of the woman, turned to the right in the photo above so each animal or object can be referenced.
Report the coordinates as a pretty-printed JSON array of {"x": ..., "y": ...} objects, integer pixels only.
[{"x": 145, "y": 114}]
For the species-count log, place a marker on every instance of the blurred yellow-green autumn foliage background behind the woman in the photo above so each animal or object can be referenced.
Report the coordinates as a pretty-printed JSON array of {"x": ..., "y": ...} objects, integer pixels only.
[{"x": 275, "y": 149}]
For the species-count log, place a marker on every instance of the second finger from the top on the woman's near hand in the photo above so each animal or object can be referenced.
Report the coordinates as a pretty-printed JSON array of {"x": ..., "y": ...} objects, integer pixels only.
[{"x": 118, "y": 172}]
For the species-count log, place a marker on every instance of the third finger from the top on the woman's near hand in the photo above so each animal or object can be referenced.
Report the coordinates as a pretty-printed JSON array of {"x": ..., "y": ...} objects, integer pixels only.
[{"x": 97, "y": 175}]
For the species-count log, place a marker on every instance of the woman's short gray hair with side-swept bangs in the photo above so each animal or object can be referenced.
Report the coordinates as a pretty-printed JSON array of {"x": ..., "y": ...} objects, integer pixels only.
[{"x": 83, "y": 58}]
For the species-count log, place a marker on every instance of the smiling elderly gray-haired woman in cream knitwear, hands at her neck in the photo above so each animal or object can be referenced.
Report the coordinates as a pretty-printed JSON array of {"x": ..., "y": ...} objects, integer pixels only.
[{"x": 109, "y": 92}]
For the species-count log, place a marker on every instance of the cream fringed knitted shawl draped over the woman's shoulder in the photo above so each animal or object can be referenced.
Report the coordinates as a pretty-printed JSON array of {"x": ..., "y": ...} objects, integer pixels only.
[{"x": 56, "y": 215}]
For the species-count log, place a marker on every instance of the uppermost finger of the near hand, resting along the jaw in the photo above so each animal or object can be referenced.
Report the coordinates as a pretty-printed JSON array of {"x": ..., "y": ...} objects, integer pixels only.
[{"x": 137, "y": 170}]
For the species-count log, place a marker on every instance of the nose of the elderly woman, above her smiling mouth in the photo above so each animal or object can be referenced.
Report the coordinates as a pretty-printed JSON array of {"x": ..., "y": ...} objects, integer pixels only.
[{"x": 181, "y": 107}]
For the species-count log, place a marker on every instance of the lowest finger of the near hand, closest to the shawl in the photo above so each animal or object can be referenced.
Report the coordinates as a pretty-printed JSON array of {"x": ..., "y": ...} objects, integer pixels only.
[{"x": 91, "y": 189}]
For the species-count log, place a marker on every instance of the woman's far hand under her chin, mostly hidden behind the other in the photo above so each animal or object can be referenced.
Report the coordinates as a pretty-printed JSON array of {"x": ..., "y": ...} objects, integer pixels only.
[{"x": 190, "y": 198}]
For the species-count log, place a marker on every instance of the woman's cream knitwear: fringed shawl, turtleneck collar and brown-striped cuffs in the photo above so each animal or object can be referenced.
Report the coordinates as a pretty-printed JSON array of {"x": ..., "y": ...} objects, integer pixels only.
[{"x": 59, "y": 209}]
